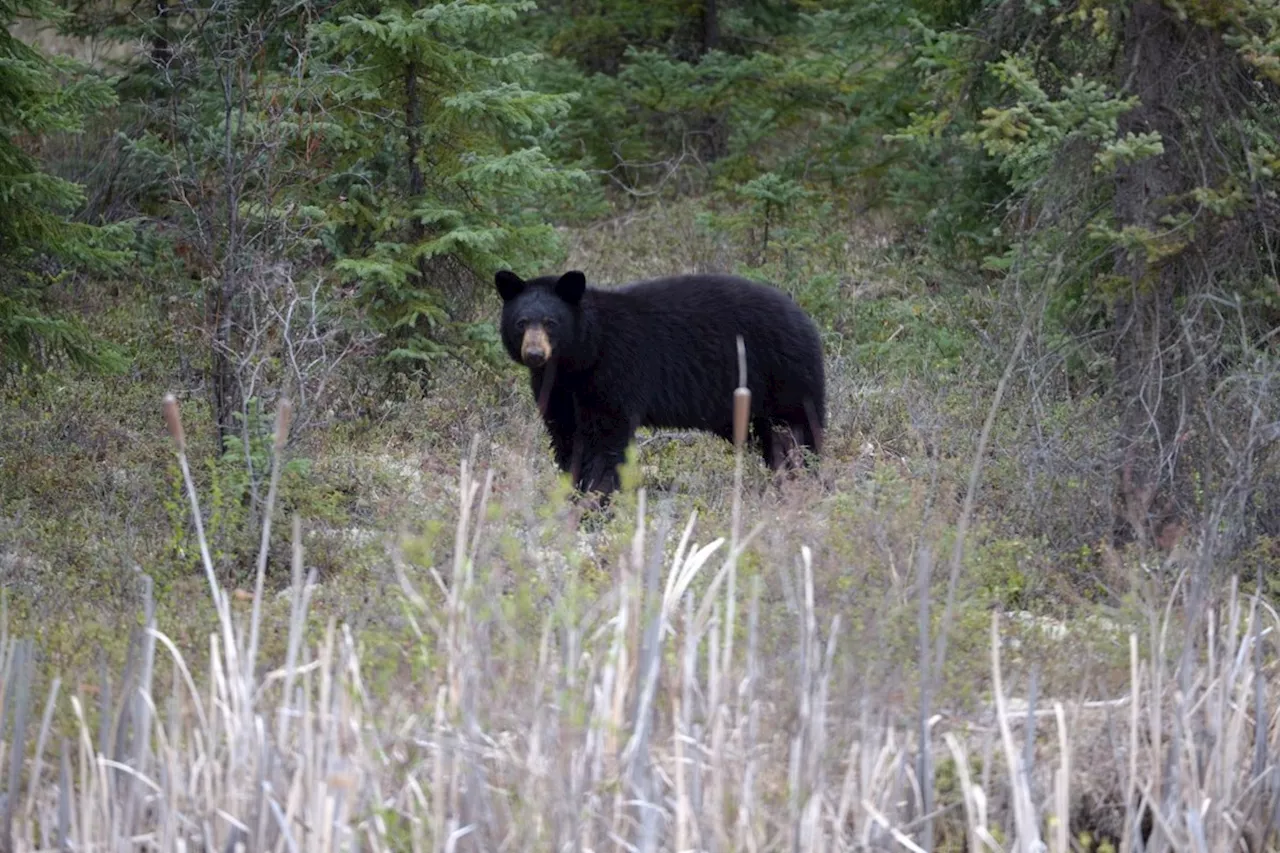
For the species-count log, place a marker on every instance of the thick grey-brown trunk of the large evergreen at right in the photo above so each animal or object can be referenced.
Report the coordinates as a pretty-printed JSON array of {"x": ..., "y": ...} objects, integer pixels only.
[{"x": 1149, "y": 358}]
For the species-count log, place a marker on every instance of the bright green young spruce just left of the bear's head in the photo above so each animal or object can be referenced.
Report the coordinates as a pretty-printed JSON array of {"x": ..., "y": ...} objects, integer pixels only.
[{"x": 461, "y": 184}]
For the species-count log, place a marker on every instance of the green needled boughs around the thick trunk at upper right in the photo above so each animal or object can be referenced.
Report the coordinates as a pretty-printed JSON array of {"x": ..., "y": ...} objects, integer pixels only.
[{"x": 1048, "y": 115}]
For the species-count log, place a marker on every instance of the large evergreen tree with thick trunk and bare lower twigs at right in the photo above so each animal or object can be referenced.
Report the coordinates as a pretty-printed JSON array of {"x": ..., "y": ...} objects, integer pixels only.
[{"x": 1136, "y": 142}]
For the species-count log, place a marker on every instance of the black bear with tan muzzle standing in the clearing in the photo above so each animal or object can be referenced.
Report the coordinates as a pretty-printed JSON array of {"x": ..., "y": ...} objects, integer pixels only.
[{"x": 661, "y": 353}]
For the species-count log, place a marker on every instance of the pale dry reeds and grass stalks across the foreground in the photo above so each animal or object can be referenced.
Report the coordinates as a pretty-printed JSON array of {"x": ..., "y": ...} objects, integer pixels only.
[{"x": 673, "y": 708}]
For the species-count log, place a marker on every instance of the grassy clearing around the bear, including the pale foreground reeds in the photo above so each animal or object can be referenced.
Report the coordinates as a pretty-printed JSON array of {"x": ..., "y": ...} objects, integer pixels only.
[{"x": 426, "y": 651}]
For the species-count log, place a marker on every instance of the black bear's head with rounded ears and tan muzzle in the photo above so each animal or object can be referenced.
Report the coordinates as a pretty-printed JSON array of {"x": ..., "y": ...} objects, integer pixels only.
[{"x": 540, "y": 317}]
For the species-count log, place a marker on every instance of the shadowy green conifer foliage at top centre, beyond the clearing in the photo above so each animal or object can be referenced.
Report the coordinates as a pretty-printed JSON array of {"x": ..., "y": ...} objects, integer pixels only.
[{"x": 794, "y": 89}]
